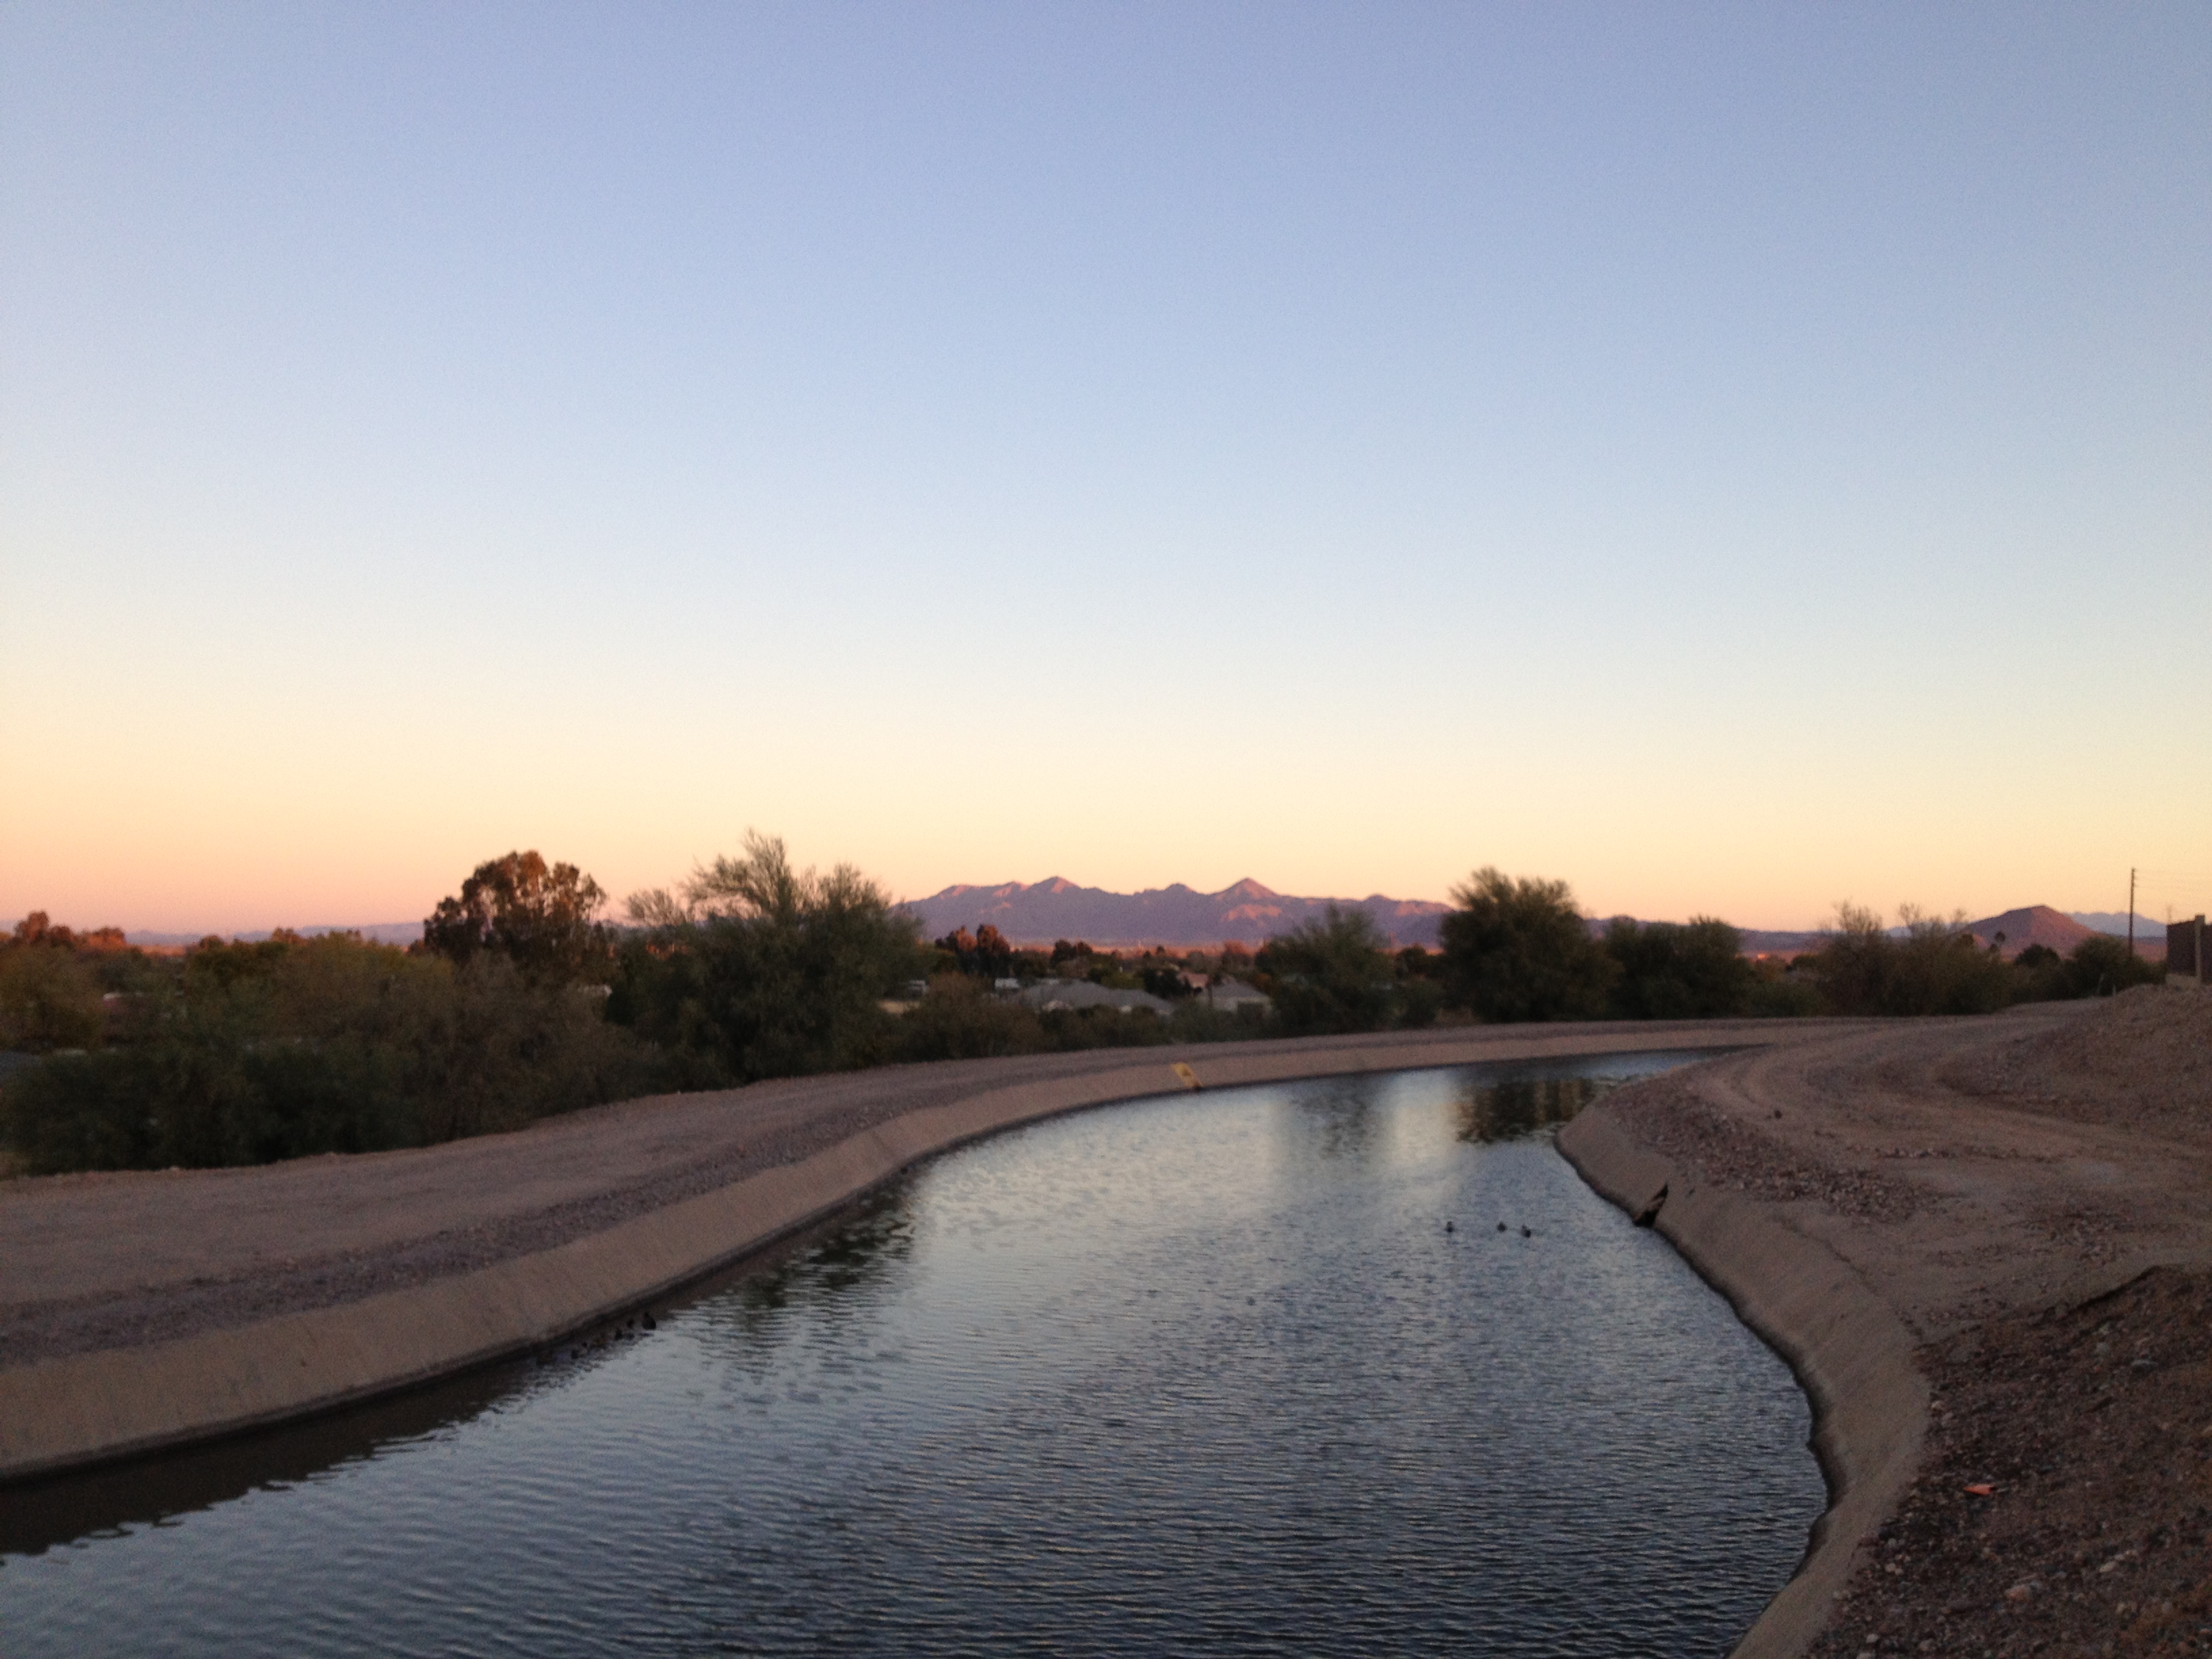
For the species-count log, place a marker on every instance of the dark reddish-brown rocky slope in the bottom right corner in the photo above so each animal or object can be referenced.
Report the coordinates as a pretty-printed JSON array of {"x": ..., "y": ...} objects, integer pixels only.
[{"x": 2065, "y": 1499}]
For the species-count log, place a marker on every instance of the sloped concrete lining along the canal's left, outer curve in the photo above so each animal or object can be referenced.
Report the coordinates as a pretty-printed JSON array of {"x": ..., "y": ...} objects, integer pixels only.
[{"x": 129, "y": 1401}]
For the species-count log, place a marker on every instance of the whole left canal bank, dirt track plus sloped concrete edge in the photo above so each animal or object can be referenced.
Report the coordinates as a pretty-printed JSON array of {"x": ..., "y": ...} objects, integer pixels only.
[{"x": 156, "y": 1308}]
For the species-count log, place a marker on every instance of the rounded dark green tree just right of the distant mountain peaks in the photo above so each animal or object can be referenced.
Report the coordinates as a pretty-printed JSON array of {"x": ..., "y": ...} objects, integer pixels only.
[{"x": 1519, "y": 950}]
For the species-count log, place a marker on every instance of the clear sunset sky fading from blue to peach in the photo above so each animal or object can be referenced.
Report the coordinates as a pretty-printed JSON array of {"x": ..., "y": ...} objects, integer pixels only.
[{"x": 1729, "y": 459}]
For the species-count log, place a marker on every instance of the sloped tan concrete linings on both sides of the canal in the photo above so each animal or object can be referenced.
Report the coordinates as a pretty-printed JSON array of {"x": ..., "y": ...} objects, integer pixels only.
[{"x": 1848, "y": 1350}]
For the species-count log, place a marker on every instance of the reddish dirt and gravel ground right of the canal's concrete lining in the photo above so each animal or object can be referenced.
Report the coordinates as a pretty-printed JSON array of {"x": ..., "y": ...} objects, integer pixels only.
[{"x": 2034, "y": 1198}]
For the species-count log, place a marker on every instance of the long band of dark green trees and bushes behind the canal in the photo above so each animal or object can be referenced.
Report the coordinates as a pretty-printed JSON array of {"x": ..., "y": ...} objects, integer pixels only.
[{"x": 521, "y": 1001}]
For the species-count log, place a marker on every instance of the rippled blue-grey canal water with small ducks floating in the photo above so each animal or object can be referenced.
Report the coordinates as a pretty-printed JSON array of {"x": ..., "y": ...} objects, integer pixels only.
[{"x": 1335, "y": 1368}]
